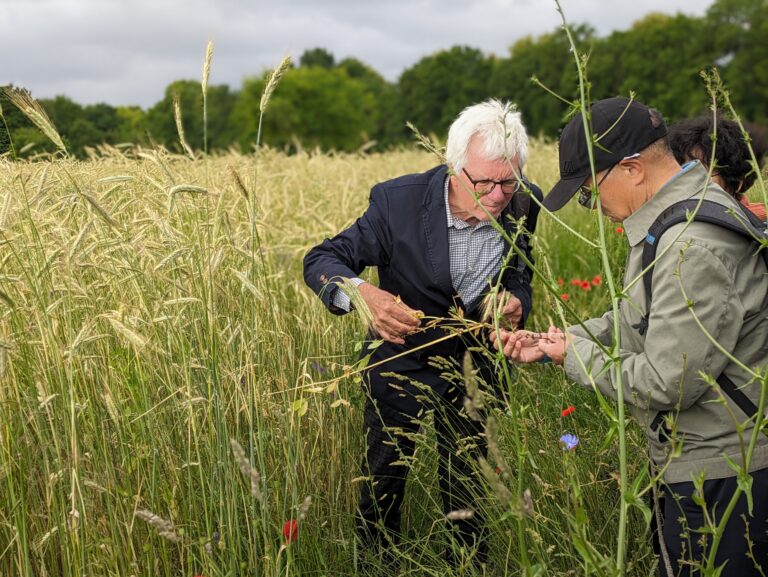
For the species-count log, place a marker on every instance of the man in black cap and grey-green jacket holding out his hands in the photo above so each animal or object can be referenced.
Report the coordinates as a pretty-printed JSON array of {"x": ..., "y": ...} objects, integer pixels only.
[{"x": 708, "y": 316}]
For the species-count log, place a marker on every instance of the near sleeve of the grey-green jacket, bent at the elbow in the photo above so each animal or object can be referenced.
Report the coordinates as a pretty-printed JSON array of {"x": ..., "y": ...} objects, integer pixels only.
[{"x": 666, "y": 375}]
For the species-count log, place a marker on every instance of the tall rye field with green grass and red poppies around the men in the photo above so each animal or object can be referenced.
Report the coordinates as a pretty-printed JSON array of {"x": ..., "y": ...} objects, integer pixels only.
[{"x": 175, "y": 402}]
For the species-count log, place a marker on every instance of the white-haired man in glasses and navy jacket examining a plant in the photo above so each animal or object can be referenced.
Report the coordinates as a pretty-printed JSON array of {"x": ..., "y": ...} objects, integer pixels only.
[{"x": 432, "y": 239}]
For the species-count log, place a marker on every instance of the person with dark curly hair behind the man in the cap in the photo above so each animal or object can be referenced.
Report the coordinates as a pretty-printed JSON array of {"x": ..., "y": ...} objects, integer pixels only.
[{"x": 693, "y": 139}]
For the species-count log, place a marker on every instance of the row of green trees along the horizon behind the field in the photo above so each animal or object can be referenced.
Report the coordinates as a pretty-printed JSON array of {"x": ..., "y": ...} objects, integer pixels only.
[{"x": 347, "y": 105}]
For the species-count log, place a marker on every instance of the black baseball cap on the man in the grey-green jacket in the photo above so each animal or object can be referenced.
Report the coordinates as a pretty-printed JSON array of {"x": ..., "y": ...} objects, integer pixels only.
[{"x": 621, "y": 126}]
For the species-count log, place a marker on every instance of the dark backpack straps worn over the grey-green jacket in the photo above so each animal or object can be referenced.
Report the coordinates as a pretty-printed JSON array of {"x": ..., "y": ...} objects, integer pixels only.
[{"x": 744, "y": 223}]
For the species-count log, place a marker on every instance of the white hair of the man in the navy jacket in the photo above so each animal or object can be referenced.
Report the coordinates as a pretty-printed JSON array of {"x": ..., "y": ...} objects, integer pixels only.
[{"x": 499, "y": 126}]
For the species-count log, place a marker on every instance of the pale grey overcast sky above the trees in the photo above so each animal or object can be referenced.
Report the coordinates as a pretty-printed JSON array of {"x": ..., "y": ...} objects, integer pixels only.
[{"x": 128, "y": 51}]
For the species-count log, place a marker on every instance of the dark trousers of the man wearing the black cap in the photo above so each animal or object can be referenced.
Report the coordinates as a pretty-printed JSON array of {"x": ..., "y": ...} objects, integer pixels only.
[{"x": 683, "y": 520}]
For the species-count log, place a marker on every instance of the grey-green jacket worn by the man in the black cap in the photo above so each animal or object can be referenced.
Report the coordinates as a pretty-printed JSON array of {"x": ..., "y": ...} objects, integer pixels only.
[{"x": 662, "y": 370}]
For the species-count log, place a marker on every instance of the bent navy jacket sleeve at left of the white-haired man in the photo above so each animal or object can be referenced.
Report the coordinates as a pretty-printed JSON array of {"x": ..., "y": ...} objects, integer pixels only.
[{"x": 366, "y": 243}]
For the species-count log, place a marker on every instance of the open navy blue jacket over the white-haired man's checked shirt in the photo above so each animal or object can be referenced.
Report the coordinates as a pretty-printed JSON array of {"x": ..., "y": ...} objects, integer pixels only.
[{"x": 404, "y": 233}]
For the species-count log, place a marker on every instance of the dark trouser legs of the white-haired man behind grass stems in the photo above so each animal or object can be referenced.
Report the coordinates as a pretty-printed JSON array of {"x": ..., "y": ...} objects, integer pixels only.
[{"x": 389, "y": 448}]
